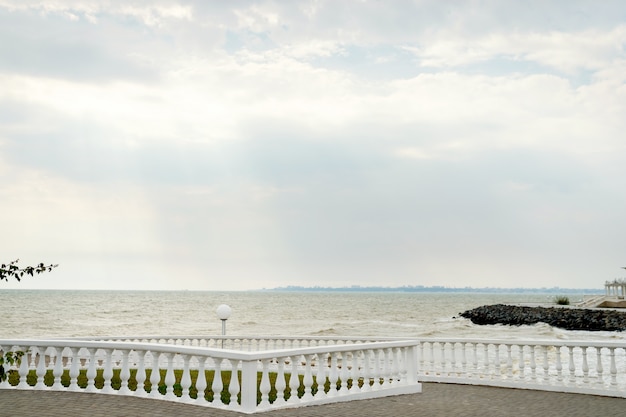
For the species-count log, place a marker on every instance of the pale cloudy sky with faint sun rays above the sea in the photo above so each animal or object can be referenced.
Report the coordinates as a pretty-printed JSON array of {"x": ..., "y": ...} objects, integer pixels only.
[{"x": 236, "y": 145}]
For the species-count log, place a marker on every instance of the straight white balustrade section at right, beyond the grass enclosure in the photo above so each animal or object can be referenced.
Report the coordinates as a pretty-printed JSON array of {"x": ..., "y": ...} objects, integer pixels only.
[{"x": 533, "y": 364}]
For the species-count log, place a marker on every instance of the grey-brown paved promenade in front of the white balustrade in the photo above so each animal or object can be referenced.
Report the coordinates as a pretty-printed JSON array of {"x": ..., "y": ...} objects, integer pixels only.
[{"x": 437, "y": 400}]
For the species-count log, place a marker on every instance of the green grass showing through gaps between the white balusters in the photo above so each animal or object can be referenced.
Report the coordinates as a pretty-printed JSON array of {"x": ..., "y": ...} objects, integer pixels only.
[{"x": 209, "y": 395}]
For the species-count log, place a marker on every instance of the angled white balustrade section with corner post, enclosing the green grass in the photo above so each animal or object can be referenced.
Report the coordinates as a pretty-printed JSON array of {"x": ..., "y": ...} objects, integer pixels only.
[{"x": 184, "y": 373}]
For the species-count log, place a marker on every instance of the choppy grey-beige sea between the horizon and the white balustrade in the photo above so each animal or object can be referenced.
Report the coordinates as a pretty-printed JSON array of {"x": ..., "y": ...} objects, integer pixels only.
[{"x": 31, "y": 314}]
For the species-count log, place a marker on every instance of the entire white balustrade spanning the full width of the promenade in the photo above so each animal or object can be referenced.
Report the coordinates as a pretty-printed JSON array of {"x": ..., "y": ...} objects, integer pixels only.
[{"x": 309, "y": 370}]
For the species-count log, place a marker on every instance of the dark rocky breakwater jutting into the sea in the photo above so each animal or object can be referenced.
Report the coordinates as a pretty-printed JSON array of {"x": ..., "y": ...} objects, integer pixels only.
[{"x": 564, "y": 318}]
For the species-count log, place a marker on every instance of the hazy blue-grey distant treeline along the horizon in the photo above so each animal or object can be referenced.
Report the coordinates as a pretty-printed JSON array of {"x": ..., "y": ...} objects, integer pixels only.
[{"x": 421, "y": 288}]
